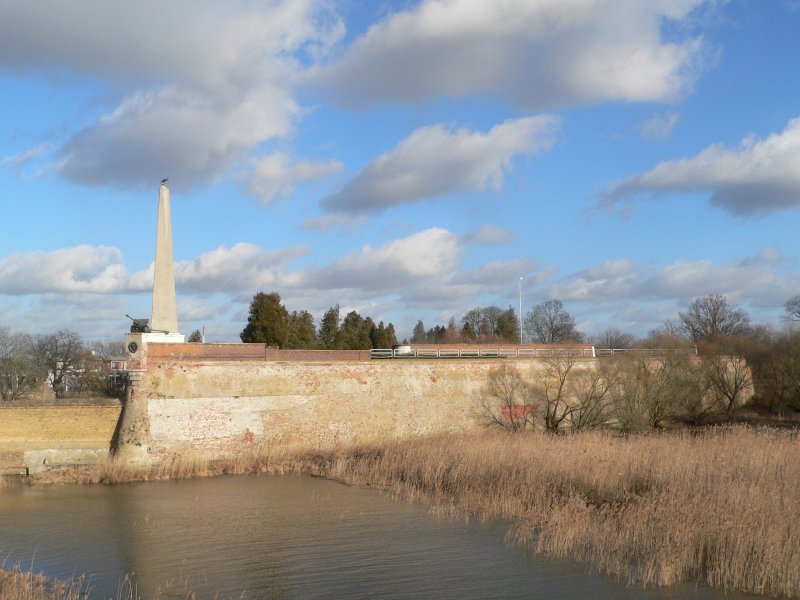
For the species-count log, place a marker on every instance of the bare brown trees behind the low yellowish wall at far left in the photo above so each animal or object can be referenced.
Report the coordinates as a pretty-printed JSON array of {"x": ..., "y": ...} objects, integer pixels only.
[{"x": 67, "y": 363}]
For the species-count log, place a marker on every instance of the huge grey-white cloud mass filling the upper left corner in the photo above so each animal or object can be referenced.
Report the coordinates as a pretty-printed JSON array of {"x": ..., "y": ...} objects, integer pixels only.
[{"x": 188, "y": 101}]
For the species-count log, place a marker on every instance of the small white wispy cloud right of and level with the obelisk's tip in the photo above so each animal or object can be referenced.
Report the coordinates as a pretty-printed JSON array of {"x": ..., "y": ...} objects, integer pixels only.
[{"x": 273, "y": 177}]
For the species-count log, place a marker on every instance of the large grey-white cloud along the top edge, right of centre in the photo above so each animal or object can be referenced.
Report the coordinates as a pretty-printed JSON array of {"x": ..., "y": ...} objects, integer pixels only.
[{"x": 535, "y": 53}]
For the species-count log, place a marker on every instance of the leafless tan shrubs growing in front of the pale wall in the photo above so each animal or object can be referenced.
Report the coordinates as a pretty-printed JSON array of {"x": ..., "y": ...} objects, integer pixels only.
[{"x": 627, "y": 392}]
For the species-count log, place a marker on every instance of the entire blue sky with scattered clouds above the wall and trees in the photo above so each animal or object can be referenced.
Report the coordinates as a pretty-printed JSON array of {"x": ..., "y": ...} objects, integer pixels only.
[{"x": 409, "y": 160}]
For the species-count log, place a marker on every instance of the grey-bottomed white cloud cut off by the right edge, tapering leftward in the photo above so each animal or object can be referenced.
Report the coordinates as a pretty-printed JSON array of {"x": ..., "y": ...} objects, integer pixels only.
[{"x": 761, "y": 176}]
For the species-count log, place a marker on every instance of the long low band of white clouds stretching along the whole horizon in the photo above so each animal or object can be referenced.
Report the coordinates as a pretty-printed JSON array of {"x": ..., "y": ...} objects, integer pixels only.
[{"x": 418, "y": 276}]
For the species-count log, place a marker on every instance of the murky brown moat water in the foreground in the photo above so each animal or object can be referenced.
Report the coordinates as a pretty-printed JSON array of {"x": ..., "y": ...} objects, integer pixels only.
[{"x": 281, "y": 537}]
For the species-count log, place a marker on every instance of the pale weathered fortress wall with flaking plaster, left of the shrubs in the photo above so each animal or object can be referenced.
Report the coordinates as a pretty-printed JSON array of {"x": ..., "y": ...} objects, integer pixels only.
[{"x": 217, "y": 404}]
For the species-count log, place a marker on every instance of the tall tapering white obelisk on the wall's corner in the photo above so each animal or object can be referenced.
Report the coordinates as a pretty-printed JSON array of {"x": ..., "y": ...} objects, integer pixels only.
[{"x": 165, "y": 307}]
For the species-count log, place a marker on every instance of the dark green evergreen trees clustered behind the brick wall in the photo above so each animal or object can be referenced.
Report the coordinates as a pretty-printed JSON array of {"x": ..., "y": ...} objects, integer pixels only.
[{"x": 269, "y": 322}]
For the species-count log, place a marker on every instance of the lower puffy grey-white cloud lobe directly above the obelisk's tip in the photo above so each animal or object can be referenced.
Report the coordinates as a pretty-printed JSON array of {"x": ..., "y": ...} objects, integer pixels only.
[{"x": 174, "y": 132}]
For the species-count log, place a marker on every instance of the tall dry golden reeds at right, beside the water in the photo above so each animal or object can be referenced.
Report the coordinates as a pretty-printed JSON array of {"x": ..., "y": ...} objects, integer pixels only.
[{"x": 720, "y": 507}]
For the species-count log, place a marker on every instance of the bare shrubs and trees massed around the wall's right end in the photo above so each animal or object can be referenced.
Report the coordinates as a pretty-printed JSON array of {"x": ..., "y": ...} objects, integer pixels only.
[{"x": 631, "y": 392}]
